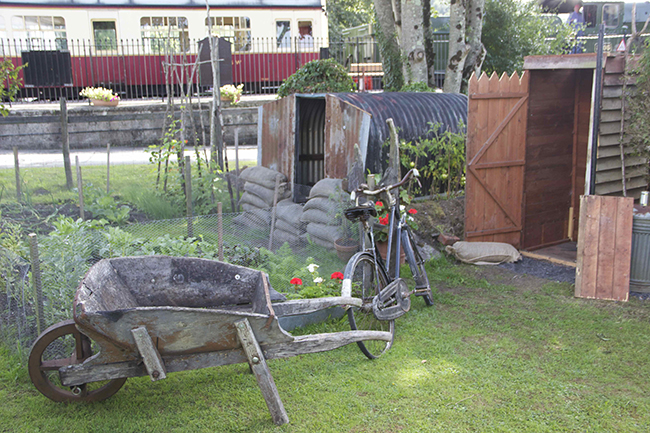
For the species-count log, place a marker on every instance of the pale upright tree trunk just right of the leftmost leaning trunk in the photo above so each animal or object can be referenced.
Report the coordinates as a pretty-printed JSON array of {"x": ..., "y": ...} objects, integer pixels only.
[{"x": 415, "y": 66}]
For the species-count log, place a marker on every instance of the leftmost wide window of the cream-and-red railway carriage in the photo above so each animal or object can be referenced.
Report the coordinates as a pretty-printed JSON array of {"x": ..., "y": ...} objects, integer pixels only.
[{"x": 40, "y": 32}]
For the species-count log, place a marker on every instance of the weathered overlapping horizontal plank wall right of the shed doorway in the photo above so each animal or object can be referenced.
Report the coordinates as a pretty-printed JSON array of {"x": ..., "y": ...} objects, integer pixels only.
[{"x": 608, "y": 166}]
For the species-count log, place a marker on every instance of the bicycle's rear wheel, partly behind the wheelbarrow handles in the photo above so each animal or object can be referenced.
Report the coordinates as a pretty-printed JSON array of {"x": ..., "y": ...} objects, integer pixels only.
[{"x": 366, "y": 280}]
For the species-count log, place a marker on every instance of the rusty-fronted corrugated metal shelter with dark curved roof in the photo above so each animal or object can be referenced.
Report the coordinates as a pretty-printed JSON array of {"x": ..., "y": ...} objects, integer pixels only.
[{"x": 311, "y": 137}]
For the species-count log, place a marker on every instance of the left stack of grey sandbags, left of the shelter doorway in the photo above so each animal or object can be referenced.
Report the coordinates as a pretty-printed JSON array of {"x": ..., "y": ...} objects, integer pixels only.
[{"x": 257, "y": 200}]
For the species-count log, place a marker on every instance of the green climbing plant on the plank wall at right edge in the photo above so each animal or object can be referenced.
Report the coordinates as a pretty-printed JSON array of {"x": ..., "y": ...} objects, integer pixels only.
[{"x": 639, "y": 102}]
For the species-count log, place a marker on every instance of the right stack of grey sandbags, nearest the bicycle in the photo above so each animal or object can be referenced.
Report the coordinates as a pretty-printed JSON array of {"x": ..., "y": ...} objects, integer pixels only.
[{"x": 323, "y": 212}]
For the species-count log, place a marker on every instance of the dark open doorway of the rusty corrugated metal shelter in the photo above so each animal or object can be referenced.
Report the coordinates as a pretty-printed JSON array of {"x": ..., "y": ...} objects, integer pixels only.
[{"x": 310, "y": 145}]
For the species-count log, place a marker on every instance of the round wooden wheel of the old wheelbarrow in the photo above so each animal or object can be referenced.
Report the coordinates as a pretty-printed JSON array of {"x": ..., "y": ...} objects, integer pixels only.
[{"x": 58, "y": 346}]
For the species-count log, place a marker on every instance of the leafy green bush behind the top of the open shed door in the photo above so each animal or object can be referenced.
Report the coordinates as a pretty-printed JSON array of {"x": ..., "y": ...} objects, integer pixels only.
[{"x": 514, "y": 29}]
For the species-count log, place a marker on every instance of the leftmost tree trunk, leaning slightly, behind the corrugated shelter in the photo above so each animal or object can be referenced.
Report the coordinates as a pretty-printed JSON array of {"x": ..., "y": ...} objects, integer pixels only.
[{"x": 389, "y": 45}]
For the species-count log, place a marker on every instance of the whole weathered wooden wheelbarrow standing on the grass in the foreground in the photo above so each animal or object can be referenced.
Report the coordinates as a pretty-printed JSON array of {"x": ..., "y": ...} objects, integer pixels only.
[{"x": 154, "y": 315}]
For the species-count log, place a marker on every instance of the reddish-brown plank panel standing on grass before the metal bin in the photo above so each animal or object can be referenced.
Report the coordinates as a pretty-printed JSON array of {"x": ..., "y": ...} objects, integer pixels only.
[{"x": 604, "y": 248}]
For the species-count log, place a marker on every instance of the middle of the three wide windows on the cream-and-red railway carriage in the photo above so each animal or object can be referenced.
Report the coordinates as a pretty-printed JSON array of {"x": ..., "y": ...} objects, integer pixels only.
[{"x": 165, "y": 33}]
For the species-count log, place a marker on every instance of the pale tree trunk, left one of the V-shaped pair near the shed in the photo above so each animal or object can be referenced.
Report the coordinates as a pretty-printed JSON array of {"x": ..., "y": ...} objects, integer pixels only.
[{"x": 458, "y": 49}]
